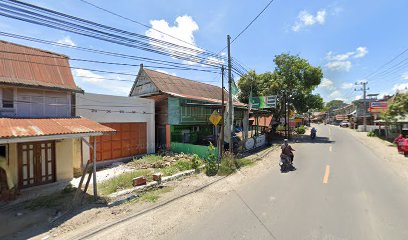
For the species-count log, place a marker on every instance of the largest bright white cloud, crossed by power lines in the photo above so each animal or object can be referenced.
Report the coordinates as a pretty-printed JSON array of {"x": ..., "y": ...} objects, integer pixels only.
[{"x": 183, "y": 29}]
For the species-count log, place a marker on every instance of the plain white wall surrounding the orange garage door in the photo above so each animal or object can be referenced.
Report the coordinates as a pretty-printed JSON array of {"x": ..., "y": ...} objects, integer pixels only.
[{"x": 95, "y": 107}]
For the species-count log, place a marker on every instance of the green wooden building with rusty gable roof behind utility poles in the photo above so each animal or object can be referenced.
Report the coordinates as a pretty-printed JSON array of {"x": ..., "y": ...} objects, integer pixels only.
[{"x": 182, "y": 109}]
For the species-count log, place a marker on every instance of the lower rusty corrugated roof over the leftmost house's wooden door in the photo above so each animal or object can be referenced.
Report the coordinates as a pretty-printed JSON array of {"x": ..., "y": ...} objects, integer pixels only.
[{"x": 18, "y": 127}]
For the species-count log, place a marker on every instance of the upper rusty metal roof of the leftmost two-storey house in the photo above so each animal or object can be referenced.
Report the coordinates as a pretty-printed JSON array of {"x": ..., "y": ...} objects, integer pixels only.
[{"x": 27, "y": 66}]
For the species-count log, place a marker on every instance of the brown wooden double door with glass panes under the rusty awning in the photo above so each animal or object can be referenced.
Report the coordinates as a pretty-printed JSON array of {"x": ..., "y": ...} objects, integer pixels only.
[{"x": 36, "y": 163}]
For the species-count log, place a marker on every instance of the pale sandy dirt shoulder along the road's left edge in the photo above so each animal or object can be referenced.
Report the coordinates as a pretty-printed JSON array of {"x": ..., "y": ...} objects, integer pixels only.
[{"x": 185, "y": 196}]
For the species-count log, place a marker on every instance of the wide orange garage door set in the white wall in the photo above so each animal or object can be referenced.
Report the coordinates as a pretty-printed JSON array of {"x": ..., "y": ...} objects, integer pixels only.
[{"x": 129, "y": 140}]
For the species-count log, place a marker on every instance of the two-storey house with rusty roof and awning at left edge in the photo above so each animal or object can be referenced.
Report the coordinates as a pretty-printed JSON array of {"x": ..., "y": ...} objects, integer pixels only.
[{"x": 40, "y": 136}]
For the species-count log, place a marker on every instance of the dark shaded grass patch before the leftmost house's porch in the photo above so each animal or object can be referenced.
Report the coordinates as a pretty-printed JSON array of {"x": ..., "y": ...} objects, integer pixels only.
[{"x": 58, "y": 199}]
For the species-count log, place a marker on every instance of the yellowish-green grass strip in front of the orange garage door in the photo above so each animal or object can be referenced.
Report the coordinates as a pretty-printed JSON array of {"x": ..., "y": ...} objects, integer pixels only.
[{"x": 123, "y": 181}]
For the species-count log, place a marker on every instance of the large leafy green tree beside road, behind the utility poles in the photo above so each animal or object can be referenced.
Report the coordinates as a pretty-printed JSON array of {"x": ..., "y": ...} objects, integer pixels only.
[{"x": 292, "y": 77}]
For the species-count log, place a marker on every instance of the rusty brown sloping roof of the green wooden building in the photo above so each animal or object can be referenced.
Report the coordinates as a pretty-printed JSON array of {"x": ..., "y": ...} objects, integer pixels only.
[{"x": 185, "y": 88}]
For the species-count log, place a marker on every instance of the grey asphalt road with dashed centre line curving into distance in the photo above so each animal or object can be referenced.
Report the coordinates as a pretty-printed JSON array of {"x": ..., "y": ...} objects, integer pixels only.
[{"x": 340, "y": 190}]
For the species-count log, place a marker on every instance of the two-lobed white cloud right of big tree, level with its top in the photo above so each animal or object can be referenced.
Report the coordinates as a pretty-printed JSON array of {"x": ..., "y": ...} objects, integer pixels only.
[{"x": 341, "y": 62}]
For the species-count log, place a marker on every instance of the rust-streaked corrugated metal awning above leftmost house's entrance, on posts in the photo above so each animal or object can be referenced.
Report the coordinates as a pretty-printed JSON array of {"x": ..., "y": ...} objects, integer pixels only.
[{"x": 41, "y": 129}]
